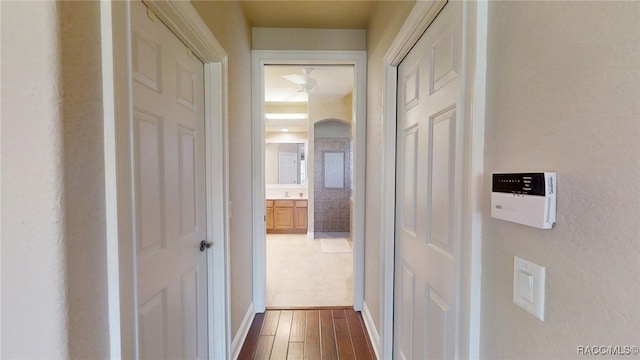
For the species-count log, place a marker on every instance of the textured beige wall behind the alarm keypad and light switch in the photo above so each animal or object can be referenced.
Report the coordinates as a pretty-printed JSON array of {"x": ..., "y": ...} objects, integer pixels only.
[{"x": 563, "y": 89}]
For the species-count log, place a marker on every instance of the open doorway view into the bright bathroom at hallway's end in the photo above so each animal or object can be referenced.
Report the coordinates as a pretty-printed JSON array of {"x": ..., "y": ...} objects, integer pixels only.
[{"x": 308, "y": 185}]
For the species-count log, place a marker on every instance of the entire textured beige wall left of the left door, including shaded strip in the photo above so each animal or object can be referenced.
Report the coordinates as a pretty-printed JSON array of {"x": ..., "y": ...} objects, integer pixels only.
[{"x": 54, "y": 292}]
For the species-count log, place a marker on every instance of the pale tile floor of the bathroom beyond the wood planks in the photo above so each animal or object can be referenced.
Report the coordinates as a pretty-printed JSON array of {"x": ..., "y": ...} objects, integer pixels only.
[{"x": 299, "y": 274}]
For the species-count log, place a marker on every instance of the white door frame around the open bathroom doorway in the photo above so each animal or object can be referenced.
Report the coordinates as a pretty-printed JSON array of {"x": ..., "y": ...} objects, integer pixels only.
[{"x": 303, "y": 57}]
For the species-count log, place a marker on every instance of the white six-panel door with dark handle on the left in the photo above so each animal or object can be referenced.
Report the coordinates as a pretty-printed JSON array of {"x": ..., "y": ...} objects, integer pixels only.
[{"x": 169, "y": 191}]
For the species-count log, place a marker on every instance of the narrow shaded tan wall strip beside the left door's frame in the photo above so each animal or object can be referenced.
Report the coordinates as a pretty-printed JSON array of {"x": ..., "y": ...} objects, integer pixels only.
[{"x": 85, "y": 238}]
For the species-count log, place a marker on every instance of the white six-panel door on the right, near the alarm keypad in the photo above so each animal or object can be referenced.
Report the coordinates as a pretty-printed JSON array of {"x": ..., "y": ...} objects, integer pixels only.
[{"x": 429, "y": 140}]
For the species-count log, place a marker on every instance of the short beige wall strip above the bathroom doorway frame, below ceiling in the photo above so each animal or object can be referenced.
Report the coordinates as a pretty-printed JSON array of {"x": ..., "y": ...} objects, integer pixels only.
[{"x": 309, "y": 39}]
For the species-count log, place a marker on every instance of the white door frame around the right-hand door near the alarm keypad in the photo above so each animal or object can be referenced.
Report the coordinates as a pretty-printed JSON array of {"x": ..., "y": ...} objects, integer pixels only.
[{"x": 474, "y": 40}]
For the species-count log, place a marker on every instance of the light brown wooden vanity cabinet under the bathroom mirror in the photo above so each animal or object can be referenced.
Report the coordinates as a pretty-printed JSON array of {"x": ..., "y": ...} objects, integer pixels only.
[{"x": 286, "y": 216}]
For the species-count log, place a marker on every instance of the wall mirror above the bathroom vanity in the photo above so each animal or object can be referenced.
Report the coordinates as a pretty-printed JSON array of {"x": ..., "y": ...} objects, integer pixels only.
[{"x": 285, "y": 163}]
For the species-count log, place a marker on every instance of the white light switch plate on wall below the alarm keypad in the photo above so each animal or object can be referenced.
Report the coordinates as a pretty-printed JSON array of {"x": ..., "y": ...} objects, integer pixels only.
[{"x": 528, "y": 286}]
